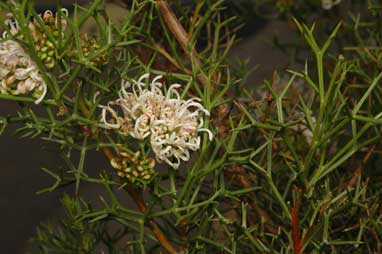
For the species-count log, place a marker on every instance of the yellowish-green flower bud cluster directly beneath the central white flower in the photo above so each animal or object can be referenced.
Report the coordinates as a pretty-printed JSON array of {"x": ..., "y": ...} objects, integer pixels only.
[{"x": 135, "y": 167}]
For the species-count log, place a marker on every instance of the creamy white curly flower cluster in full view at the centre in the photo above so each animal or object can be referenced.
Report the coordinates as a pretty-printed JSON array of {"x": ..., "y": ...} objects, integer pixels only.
[{"x": 171, "y": 123}]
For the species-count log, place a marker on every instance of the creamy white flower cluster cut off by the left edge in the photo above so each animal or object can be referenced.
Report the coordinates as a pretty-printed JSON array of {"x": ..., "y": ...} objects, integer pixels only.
[{"x": 18, "y": 72}]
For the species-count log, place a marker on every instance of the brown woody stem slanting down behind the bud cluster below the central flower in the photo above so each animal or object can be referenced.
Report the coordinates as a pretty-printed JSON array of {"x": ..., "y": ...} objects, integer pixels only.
[{"x": 138, "y": 199}]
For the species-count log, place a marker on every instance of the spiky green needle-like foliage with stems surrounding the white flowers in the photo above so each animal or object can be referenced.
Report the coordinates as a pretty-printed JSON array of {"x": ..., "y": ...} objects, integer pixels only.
[{"x": 292, "y": 167}]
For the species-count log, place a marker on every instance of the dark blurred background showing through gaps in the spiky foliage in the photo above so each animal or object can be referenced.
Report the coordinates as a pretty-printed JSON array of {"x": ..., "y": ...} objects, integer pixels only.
[{"x": 21, "y": 209}]
